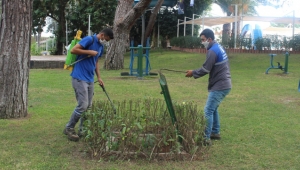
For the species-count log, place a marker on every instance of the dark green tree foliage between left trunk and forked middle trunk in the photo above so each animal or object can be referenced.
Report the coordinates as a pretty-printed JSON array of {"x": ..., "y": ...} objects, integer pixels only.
[{"x": 76, "y": 14}]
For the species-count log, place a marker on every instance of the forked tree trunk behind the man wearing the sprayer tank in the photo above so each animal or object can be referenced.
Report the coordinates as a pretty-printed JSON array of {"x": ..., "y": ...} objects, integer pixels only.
[{"x": 125, "y": 17}]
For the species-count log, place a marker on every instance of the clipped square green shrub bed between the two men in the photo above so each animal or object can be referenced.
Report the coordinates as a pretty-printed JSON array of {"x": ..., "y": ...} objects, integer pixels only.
[{"x": 142, "y": 127}]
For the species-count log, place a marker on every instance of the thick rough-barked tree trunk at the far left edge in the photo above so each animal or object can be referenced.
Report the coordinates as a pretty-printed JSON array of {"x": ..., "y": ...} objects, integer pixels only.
[{"x": 15, "y": 39}]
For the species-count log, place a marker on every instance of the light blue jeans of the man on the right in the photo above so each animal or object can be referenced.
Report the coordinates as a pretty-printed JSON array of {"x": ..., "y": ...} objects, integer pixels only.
[{"x": 211, "y": 111}]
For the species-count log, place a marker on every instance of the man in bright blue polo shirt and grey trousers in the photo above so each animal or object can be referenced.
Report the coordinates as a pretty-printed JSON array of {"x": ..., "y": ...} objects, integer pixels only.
[{"x": 91, "y": 48}]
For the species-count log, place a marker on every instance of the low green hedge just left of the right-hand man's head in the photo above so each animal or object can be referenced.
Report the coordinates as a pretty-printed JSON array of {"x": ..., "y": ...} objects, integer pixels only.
[{"x": 186, "y": 42}]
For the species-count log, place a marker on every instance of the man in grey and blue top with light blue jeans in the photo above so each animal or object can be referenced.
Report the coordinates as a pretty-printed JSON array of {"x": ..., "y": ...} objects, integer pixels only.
[{"x": 219, "y": 83}]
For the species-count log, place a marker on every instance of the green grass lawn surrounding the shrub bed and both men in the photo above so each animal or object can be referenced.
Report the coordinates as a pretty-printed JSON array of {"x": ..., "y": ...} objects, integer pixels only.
[{"x": 259, "y": 118}]
